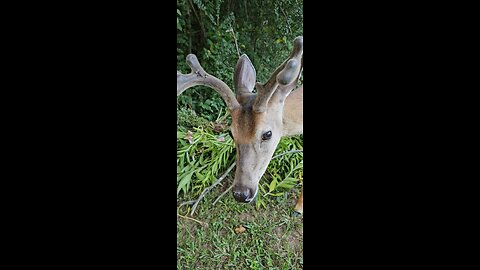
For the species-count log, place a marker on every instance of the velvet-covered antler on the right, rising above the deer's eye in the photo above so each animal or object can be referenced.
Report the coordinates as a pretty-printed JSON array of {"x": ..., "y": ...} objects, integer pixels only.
[{"x": 284, "y": 76}]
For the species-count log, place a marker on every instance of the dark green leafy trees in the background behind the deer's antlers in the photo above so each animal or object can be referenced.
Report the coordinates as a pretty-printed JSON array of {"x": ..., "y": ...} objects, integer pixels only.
[{"x": 264, "y": 30}]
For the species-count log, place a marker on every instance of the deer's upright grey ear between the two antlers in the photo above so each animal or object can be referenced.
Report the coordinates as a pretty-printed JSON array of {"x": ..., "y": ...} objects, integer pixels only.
[{"x": 245, "y": 75}]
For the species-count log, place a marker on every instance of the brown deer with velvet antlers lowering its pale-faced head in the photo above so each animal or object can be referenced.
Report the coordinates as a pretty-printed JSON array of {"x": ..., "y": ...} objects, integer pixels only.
[{"x": 259, "y": 118}]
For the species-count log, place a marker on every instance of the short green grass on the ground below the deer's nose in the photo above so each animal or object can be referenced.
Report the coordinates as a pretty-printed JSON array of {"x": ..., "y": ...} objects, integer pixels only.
[{"x": 273, "y": 238}]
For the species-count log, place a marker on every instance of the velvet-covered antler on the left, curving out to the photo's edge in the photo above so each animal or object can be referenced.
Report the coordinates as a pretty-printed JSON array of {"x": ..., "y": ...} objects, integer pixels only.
[{"x": 199, "y": 76}]
